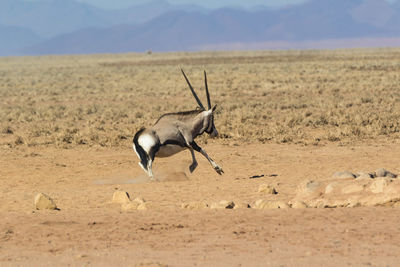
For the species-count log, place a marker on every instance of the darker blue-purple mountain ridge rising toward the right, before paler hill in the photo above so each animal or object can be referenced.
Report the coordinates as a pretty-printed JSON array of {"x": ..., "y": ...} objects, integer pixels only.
[{"x": 182, "y": 30}]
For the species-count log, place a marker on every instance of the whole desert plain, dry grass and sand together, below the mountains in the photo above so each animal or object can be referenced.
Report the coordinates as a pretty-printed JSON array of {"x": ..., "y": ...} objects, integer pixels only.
[{"x": 291, "y": 124}]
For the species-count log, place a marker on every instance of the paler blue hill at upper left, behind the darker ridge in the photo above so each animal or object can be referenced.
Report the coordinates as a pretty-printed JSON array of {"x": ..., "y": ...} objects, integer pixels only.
[{"x": 46, "y": 19}]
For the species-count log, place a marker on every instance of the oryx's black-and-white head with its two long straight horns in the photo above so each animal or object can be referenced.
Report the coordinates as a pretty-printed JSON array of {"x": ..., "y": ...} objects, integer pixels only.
[{"x": 208, "y": 123}]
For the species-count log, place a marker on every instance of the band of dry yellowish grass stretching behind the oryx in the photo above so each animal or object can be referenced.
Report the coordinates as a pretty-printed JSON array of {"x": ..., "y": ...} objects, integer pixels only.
[{"x": 305, "y": 97}]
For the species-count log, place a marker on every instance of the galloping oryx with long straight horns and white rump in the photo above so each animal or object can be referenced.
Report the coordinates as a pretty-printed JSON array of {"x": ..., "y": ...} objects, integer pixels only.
[{"x": 174, "y": 132}]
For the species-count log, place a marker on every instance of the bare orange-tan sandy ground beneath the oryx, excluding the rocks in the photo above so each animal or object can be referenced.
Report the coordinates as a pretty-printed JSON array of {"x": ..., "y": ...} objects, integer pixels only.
[{"x": 90, "y": 230}]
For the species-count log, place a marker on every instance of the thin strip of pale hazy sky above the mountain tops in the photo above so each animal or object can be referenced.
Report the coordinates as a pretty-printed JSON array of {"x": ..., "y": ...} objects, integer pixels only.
[{"x": 205, "y": 3}]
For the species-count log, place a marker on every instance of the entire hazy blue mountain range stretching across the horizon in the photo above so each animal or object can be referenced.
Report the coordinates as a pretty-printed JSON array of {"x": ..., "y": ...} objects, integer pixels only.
[{"x": 70, "y": 27}]
